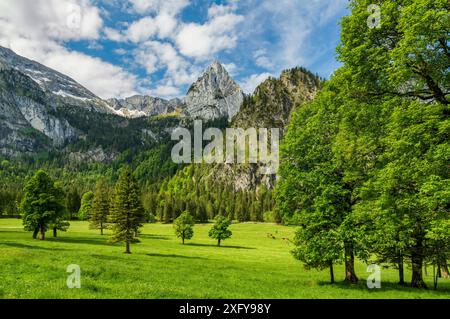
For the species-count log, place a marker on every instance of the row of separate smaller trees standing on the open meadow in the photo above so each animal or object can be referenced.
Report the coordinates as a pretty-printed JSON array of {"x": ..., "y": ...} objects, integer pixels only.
[{"x": 43, "y": 208}]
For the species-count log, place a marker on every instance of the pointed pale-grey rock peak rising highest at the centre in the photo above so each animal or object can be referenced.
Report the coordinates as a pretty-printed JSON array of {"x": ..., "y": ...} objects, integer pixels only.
[{"x": 214, "y": 95}]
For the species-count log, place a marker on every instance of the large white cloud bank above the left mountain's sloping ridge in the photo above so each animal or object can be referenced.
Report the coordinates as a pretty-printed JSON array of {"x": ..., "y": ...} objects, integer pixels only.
[{"x": 36, "y": 29}]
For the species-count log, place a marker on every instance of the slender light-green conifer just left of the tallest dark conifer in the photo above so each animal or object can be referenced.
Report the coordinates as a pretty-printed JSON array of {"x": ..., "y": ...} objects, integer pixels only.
[{"x": 100, "y": 206}]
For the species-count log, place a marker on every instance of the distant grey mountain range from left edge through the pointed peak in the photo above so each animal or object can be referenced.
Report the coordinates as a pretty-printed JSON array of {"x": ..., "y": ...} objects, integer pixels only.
[{"x": 42, "y": 109}]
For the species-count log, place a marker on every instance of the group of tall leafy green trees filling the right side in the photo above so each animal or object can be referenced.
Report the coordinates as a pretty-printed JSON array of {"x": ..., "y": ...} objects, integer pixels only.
[{"x": 364, "y": 167}]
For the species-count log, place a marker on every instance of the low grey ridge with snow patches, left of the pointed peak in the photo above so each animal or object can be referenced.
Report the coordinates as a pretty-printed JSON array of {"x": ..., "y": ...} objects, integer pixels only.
[{"x": 138, "y": 106}]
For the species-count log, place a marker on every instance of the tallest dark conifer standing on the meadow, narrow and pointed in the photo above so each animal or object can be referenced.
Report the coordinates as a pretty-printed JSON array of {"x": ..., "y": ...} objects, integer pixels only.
[{"x": 127, "y": 213}]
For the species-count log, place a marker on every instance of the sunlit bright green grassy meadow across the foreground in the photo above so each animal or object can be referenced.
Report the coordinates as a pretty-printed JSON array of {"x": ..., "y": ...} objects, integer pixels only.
[{"x": 249, "y": 265}]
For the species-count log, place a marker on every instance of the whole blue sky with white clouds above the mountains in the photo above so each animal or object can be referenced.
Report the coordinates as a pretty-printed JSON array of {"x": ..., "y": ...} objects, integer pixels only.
[{"x": 159, "y": 47}]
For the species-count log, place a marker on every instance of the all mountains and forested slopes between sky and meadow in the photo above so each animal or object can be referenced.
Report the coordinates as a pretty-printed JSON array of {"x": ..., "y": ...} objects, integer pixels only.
[{"x": 48, "y": 120}]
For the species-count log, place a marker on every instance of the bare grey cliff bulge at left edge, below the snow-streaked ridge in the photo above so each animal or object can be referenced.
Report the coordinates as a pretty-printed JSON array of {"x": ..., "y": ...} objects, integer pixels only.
[{"x": 27, "y": 115}]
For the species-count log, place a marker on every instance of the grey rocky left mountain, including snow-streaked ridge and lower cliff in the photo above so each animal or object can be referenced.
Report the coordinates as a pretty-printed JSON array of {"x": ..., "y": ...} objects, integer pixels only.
[{"x": 30, "y": 97}]
